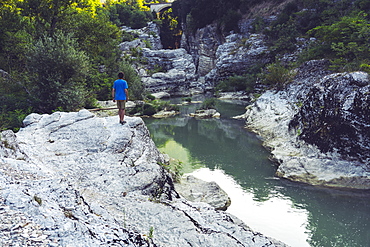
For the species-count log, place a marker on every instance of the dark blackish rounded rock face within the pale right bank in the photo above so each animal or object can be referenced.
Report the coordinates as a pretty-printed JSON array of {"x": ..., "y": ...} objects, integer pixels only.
[{"x": 335, "y": 116}]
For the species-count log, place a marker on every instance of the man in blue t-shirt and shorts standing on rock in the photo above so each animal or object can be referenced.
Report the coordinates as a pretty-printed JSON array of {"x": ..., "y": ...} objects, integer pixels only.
[{"x": 120, "y": 94}]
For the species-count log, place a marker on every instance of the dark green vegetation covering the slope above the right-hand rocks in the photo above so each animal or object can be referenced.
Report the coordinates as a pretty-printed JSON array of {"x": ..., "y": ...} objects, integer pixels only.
[{"x": 335, "y": 30}]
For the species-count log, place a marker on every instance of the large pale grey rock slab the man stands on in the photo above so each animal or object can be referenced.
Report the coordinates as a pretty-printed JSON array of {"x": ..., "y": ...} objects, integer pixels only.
[{"x": 73, "y": 179}]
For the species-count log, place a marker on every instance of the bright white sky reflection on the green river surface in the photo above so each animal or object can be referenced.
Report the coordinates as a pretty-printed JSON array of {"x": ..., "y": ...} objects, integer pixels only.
[{"x": 276, "y": 217}]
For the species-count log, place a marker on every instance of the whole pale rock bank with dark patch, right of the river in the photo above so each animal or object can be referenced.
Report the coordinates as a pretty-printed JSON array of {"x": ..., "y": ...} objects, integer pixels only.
[{"x": 317, "y": 128}]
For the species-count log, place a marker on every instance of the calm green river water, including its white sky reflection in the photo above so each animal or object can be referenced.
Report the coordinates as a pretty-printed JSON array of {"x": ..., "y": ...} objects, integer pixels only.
[{"x": 223, "y": 151}]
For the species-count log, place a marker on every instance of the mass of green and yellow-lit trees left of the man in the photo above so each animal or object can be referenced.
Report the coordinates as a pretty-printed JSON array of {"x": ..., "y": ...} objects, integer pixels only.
[{"x": 62, "y": 54}]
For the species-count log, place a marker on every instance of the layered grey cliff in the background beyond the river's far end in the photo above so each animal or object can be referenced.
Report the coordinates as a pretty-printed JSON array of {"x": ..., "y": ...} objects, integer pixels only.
[{"x": 206, "y": 57}]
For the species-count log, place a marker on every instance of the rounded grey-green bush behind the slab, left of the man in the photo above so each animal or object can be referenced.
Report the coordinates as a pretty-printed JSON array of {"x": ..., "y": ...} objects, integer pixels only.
[{"x": 59, "y": 72}]
